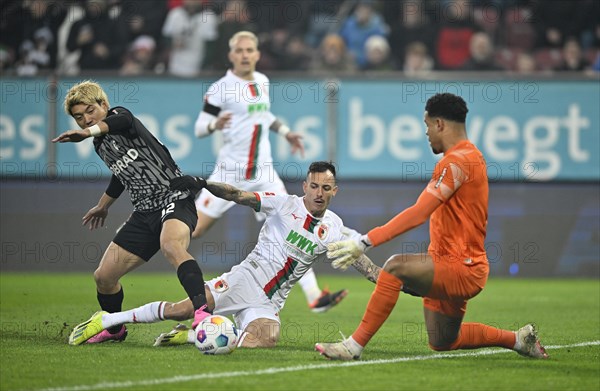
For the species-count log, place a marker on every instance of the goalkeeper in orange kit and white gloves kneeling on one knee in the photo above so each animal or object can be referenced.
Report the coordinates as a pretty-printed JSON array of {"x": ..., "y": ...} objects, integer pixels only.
[{"x": 455, "y": 267}]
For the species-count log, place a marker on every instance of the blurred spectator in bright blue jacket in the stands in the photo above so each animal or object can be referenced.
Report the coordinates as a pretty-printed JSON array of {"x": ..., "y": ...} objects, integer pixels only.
[{"x": 362, "y": 24}]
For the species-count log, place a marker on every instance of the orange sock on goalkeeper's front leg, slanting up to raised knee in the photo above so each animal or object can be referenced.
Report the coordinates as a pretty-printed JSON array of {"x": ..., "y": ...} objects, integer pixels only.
[{"x": 382, "y": 302}]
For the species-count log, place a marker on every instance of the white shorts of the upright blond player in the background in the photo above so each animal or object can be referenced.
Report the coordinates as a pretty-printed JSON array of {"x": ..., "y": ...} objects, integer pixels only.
[{"x": 215, "y": 207}]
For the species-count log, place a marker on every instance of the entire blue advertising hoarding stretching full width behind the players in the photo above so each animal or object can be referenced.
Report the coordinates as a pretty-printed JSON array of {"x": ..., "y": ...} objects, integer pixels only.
[{"x": 527, "y": 130}]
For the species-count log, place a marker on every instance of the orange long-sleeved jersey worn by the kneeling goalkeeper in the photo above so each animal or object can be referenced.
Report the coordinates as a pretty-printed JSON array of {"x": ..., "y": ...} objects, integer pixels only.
[{"x": 456, "y": 200}]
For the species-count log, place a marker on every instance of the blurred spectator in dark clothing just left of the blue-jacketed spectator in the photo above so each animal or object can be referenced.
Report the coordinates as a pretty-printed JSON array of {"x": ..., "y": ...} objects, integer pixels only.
[{"x": 332, "y": 57}]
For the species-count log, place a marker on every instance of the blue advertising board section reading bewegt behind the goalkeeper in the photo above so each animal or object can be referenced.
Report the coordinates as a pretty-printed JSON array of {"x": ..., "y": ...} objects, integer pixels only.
[{"x": 527, "y": 131}]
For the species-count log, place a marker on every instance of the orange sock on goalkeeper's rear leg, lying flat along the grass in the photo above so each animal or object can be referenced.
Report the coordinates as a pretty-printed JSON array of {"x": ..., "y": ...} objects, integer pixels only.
[{"x": 478, "y": 335}]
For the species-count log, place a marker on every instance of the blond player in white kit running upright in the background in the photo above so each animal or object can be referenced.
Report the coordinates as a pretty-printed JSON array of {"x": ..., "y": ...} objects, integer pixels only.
[{"x": 238, "y": 104}]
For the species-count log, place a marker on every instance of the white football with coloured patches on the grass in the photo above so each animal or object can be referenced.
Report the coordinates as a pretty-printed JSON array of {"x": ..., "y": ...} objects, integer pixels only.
[{"x": 216, "y": 335}]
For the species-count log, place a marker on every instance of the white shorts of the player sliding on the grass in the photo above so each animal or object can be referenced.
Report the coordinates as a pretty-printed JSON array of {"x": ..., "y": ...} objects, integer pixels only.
[{"x": 236, "y": 293}]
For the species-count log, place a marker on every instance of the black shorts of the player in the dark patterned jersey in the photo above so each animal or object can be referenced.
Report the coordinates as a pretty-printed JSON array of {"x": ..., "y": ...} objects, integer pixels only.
[{"x": 141, "y": 233}]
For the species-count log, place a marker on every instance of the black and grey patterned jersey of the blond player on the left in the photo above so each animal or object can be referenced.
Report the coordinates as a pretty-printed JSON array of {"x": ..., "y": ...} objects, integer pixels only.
[{"x": 141, "y": 163}]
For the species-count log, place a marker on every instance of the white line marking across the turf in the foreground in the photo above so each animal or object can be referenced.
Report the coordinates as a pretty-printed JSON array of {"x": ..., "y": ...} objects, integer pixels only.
[{"x": 270, "y": 371}]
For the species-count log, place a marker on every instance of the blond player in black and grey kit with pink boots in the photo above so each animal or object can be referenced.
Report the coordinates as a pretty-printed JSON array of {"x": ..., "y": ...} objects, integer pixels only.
[{"x": 162, "y": 219}]
